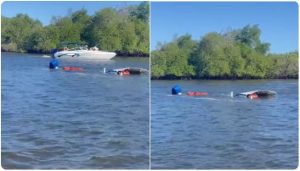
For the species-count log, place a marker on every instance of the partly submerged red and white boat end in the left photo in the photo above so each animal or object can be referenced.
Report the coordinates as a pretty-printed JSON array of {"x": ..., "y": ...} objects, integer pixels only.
[{"x": 126, "y": 71}]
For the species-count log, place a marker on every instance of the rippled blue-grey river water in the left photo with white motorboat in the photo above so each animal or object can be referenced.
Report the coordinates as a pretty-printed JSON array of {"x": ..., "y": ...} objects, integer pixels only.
[{"x": 73, "y": 120}]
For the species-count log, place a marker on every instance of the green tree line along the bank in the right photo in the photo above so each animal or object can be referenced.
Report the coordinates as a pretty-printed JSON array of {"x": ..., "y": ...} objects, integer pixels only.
[{"x": 236, "y": 54}]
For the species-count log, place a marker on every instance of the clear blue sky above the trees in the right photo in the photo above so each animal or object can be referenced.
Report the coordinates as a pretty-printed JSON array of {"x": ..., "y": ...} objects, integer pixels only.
[{"x": 278, "y": 21}]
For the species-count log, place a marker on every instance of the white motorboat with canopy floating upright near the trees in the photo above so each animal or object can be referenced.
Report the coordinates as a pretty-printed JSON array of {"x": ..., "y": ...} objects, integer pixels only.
[{"x": 82, "y": 51}]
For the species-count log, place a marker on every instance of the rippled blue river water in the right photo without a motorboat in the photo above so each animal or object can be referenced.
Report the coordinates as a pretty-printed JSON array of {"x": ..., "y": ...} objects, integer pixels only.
[{"x": 220, "y": 132}]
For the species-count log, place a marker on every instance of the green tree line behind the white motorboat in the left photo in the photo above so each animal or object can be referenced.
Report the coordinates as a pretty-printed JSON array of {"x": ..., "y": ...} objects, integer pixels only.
[{"x": 125, "y": 31}]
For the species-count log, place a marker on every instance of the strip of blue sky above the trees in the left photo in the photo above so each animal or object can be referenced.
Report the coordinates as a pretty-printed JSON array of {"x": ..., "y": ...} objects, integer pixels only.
[{"x": 45, "y": 10}]
